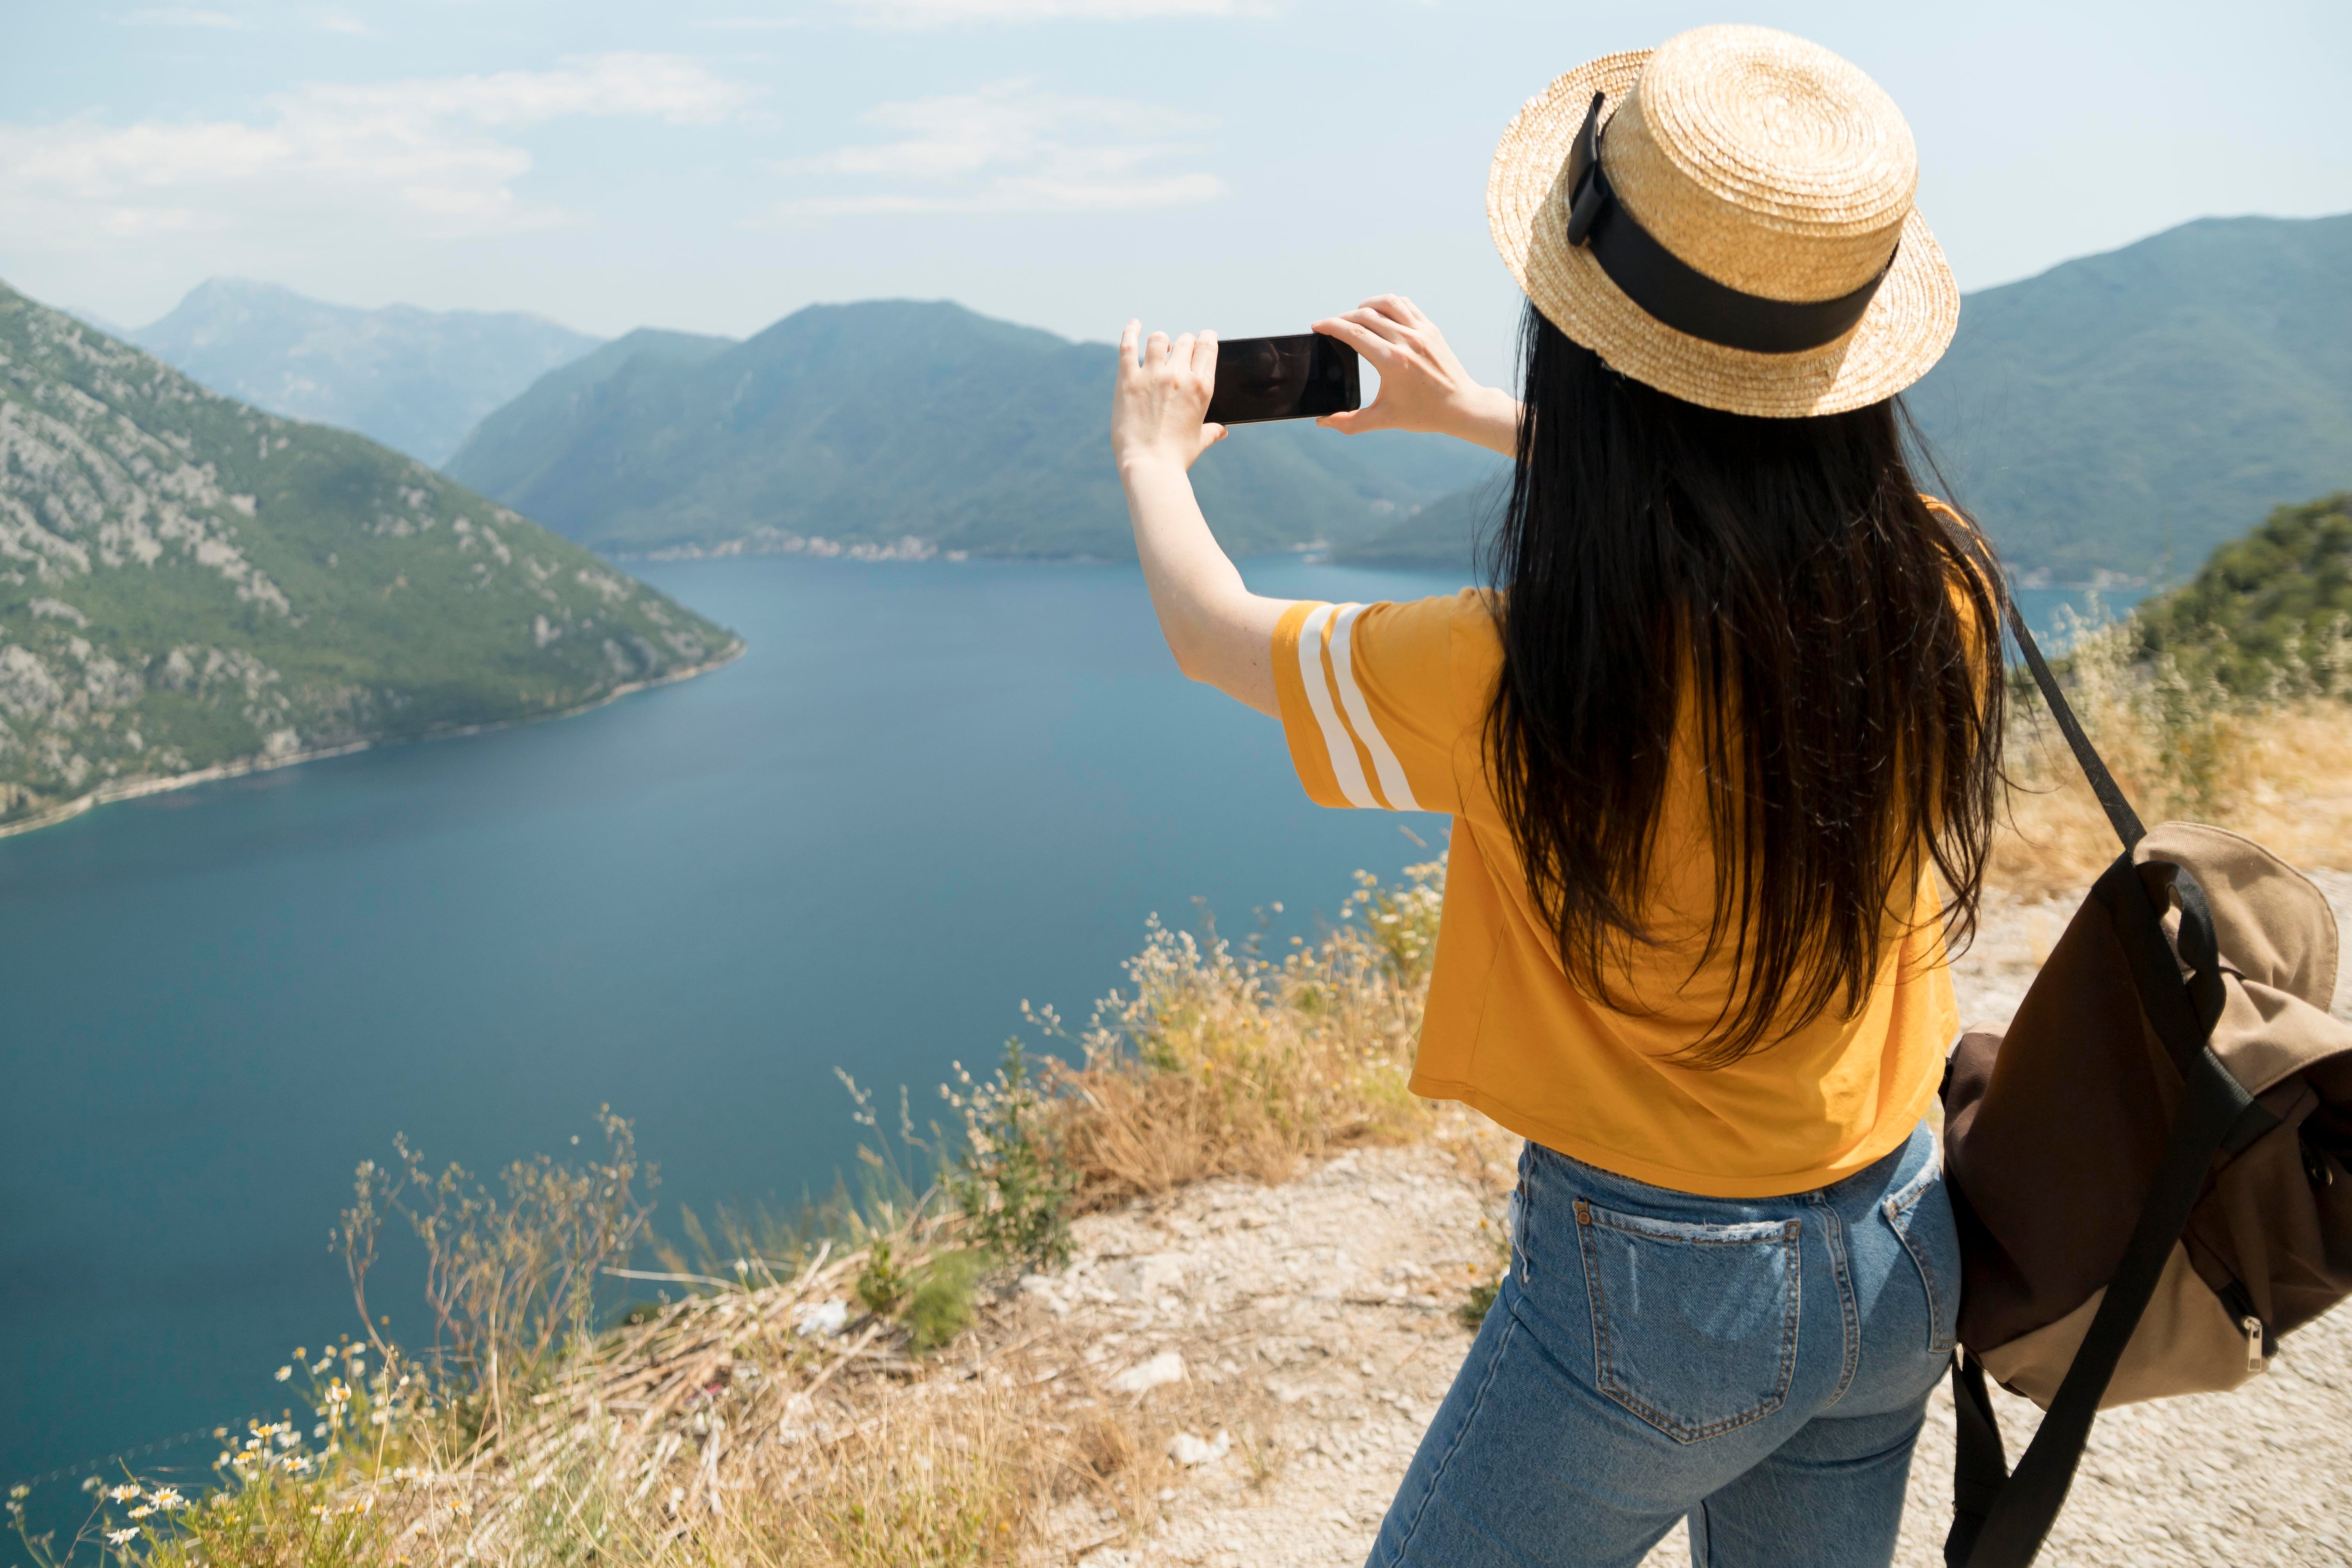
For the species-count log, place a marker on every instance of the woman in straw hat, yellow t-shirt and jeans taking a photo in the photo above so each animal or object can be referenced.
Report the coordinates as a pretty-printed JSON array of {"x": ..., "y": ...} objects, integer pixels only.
[{"x": 1728, "y": 713}]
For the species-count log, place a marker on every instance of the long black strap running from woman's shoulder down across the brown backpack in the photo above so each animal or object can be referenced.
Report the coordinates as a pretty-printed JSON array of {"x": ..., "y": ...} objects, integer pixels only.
[{"x": 2003, "y": 1517}]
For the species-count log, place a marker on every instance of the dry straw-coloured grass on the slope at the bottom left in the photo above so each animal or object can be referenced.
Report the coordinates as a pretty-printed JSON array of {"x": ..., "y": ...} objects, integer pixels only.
[{"x": 711, "y": 1435}]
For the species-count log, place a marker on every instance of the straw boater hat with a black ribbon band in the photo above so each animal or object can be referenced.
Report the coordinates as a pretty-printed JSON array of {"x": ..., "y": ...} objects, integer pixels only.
[{"x": 1753, "y": 194}]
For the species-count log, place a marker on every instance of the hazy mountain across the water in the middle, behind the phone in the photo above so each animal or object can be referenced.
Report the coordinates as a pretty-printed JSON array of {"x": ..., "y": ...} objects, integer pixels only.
[{"x": 900, "y": 424}]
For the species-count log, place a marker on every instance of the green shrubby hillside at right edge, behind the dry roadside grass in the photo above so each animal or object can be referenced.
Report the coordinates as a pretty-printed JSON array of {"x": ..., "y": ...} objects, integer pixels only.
[{"x": 2266, "y": 601}]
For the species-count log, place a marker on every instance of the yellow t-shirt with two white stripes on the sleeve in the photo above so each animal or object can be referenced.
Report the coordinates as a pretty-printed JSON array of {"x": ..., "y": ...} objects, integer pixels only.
[{"x": 1384, "y": 706}]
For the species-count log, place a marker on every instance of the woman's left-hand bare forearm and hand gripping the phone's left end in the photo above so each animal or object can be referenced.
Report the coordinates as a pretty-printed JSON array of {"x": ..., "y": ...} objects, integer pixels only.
[{"x": 1222, "y": 634}]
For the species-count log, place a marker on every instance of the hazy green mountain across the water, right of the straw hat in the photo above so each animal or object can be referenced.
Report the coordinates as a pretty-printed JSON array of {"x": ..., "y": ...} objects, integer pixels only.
[{"x": 2123, "y": 413}]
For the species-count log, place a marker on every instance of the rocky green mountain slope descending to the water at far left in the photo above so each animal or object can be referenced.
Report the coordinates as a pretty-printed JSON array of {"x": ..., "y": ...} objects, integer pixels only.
[{"x": 194, "y": 584}]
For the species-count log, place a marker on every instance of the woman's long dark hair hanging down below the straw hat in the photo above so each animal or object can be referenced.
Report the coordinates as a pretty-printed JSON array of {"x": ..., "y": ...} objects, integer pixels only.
[{"x": 1845, "y": 664}]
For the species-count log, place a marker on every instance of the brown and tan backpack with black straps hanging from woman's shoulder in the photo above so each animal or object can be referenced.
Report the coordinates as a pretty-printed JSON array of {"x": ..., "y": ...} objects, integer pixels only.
[{"x": 2151, "y": 1165}]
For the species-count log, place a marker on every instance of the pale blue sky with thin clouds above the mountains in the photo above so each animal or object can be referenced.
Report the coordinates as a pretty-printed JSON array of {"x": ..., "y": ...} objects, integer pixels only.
[{"x": 1245, "y": 166}]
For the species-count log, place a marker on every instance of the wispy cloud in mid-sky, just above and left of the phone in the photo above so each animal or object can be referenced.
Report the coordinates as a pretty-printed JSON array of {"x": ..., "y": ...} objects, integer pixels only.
[{"x": 1008, "y": 149}]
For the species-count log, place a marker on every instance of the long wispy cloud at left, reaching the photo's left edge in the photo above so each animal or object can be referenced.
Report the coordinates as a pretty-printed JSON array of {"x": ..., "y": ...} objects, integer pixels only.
[{"x": 425, "y": 152}]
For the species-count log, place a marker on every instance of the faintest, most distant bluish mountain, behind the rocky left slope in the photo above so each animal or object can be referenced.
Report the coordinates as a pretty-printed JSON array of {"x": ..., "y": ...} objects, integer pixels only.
[{"x": 410, "y": 380}]
